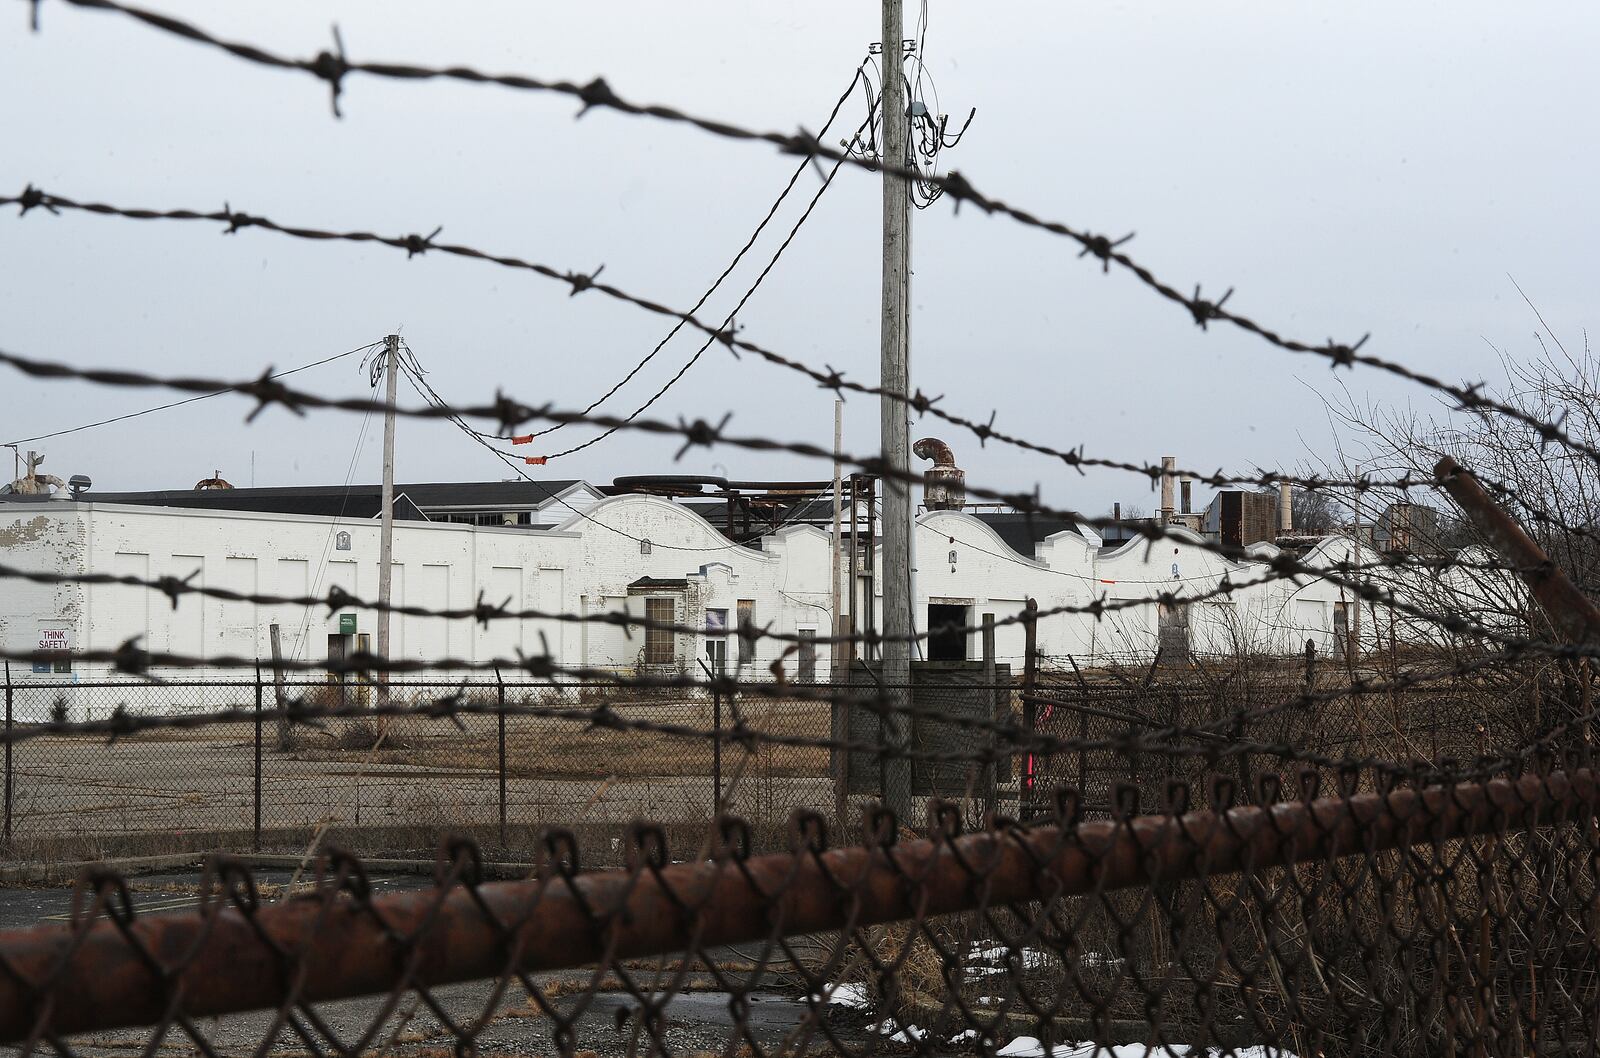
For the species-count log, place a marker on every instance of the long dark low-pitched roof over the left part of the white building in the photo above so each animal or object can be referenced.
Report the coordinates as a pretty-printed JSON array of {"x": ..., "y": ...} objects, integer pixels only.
[{"x": 354, "y": 502}]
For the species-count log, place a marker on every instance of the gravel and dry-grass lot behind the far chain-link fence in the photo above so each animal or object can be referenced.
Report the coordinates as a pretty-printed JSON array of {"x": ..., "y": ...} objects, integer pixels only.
[{"x": 188, "y": 790}]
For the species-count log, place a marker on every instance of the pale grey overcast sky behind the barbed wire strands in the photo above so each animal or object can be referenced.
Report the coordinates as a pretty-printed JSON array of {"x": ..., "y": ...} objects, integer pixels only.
[{"x": 1350, "y": 169}]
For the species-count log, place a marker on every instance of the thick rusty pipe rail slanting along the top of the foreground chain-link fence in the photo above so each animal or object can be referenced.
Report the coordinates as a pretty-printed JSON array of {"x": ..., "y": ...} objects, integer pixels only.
[{"x": 89, "y": 977}]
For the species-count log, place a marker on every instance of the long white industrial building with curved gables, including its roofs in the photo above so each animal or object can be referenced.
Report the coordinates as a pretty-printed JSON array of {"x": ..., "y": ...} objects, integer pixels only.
[{"x": 567, "y": 548}]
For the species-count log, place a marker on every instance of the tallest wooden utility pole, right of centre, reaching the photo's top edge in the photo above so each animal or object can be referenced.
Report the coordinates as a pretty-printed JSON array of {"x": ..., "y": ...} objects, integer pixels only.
[{"x": 895, "y": 430}]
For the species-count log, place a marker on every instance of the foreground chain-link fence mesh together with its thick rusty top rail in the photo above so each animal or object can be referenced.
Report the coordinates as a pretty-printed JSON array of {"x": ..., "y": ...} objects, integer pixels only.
[{"x": 1410, "y": 921}]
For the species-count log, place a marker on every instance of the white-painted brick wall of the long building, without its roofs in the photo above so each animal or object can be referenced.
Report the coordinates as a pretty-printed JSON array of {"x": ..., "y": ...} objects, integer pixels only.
[{"x": 588, "y": 564}]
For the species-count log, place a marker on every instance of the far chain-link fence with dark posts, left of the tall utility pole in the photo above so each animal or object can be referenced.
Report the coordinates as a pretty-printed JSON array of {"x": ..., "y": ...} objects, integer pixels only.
[{"x": 497, "y": 761}]
